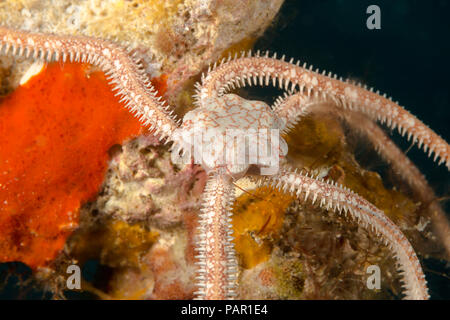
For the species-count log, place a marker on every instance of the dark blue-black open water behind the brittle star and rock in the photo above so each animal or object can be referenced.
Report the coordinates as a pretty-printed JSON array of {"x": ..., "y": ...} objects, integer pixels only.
[{"x": 408, "y": 59}]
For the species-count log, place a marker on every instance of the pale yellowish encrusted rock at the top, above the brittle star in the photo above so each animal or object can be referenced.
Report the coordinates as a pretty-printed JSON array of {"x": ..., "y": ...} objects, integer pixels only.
[{"x": 178, "y": 38}]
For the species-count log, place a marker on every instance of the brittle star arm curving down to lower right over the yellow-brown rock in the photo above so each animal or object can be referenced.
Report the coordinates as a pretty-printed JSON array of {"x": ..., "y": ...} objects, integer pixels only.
[{"x": 340, "y": 199}]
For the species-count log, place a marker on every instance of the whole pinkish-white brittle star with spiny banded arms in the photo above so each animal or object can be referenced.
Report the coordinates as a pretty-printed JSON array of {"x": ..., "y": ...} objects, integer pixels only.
[{"x": 218, "y": 110}]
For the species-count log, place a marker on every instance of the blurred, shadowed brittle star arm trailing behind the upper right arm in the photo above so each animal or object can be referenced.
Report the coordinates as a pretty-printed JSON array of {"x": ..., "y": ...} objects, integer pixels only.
[{"x": 290, "y": 108}]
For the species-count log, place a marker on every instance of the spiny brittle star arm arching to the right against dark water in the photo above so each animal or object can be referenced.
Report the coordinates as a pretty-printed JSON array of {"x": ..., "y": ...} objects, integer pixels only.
[{"x": 261, "y": 69}]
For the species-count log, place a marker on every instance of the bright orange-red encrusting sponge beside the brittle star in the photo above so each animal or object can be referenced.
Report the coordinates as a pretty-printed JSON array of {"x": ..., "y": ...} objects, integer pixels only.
[{"x": 55, "y": 132}]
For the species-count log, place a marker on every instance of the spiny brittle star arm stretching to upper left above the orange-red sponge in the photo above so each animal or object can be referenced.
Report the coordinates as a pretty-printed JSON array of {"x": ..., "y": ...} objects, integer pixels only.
[{"x": 122, "y": 70}]
